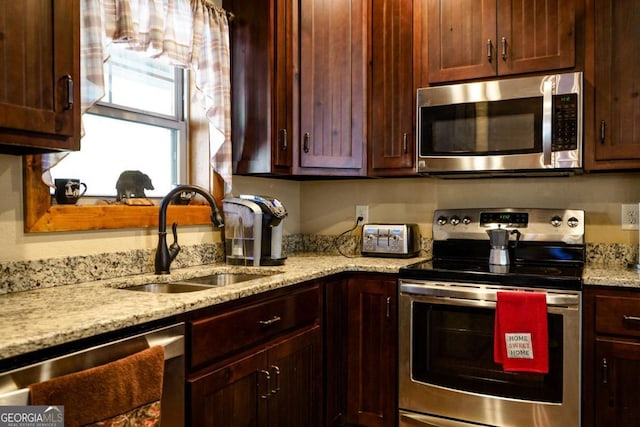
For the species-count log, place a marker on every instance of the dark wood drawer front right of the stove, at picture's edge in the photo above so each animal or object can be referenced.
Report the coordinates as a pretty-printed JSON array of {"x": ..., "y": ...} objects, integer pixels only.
[{"x": 618, "y": 315}]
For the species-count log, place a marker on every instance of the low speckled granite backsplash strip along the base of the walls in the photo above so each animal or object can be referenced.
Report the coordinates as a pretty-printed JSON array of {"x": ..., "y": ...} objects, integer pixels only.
[{"x": 28, "y": 275}]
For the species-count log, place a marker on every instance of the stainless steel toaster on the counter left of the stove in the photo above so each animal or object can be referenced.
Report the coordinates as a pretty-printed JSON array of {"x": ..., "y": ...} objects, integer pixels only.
[{"x": 390, "y": 240}]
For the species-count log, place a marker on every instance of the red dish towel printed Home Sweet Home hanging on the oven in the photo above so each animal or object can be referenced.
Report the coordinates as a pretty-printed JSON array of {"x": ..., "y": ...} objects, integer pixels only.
[{"x": 521, "y": 341}]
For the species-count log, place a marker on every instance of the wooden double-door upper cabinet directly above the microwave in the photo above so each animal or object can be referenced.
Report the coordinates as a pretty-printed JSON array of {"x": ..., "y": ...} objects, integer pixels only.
[{"x": 472, "y": 39}]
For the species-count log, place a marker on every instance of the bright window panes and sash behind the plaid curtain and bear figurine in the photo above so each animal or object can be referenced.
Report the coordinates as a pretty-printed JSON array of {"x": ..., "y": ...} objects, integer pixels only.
[{"x": 142, "y": 120}]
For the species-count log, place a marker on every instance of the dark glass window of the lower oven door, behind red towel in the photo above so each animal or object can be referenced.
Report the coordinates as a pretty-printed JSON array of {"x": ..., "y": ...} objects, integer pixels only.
[{"x": 453, "y": 347}]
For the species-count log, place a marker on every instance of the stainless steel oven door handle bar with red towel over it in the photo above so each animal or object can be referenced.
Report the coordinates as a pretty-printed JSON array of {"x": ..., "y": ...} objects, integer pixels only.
[{"x": 478, "y": 296}]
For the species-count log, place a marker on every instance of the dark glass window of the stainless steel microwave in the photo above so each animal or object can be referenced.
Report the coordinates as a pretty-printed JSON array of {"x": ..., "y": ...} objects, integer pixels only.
[{"x": 495, "y": 127}]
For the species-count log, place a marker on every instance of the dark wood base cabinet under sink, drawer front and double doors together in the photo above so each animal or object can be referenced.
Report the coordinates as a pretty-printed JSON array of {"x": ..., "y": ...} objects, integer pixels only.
[{"x": 257, "y": 362}]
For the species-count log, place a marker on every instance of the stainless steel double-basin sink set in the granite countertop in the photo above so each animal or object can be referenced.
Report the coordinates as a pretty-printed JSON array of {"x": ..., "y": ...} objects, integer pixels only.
[{"x": 196, "y": 283}]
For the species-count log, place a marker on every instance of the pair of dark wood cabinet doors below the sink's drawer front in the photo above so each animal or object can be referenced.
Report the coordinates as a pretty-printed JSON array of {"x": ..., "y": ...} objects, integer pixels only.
[{"x": 279, "y": 386}]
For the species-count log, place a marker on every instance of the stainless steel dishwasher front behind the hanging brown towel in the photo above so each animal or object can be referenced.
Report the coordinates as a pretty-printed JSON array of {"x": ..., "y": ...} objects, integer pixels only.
[{"x": 14, "y": 384}]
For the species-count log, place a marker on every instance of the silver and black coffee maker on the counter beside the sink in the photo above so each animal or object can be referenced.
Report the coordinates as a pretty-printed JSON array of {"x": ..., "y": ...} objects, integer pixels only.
[{"x": 253, "y": 230}]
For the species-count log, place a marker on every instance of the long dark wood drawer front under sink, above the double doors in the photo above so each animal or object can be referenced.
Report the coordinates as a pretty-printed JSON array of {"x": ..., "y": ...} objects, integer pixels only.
[{"x": 215, "y": 337}]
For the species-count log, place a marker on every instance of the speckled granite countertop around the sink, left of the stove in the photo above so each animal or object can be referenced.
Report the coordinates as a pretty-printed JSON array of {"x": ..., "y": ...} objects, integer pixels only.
[{"x": 41, "y": 318}]
